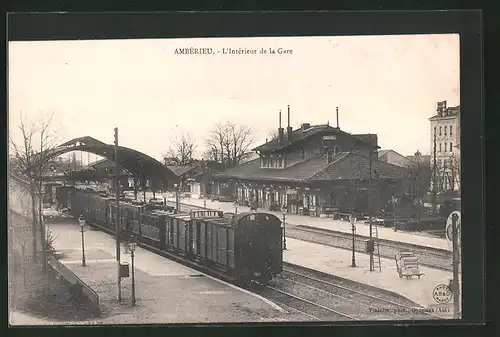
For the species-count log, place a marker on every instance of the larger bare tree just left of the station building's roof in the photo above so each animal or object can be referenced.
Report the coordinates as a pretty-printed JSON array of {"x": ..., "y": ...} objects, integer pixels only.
[{"x": 228, "y": 143}]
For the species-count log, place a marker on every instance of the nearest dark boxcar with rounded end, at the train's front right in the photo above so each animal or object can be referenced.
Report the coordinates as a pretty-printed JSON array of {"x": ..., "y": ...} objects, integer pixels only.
[{"x": 244, "y": 247}]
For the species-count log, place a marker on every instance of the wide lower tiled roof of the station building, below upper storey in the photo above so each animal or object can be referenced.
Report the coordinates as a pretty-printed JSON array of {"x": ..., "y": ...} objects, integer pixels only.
[{"x": 344, "y": 165}]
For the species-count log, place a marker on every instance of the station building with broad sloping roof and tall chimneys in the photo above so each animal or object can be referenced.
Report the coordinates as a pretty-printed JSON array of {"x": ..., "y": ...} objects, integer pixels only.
[{"x": 314, "y": 170}]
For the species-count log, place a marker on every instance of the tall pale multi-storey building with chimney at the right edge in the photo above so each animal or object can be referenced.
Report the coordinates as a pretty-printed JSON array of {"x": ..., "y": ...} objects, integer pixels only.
[{"x": 445, "y": 147}]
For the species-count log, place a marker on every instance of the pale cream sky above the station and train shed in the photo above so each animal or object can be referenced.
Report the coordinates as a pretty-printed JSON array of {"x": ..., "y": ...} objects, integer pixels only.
[{"x": 388, "y": 85}]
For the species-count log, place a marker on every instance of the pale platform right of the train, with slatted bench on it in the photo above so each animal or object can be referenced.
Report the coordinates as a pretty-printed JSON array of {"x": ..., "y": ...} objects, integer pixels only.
[{"x": 337, "y": 262}]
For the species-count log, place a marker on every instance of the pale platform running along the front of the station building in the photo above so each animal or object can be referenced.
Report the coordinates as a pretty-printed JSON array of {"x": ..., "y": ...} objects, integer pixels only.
[{"x": 416, "y": 238}]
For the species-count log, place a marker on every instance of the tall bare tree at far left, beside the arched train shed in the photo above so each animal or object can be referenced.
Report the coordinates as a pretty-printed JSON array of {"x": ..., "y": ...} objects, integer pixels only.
[{"x": 29, "y": 159}]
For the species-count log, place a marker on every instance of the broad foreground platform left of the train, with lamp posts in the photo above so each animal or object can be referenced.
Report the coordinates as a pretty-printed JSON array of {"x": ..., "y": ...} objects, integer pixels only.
[{"x": 166, "y": 292}]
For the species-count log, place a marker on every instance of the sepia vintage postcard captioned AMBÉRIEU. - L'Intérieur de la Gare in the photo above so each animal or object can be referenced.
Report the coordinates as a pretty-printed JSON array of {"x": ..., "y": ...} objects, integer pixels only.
[{"x": 217, "y": 180}]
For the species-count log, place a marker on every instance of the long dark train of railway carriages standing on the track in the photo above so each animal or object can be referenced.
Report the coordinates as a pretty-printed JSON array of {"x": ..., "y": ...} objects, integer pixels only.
[{"x": 239, "y": 248}]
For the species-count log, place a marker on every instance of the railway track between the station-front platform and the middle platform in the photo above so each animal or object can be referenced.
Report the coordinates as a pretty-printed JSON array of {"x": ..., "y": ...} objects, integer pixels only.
[{"x": 428, "y": 257}]
